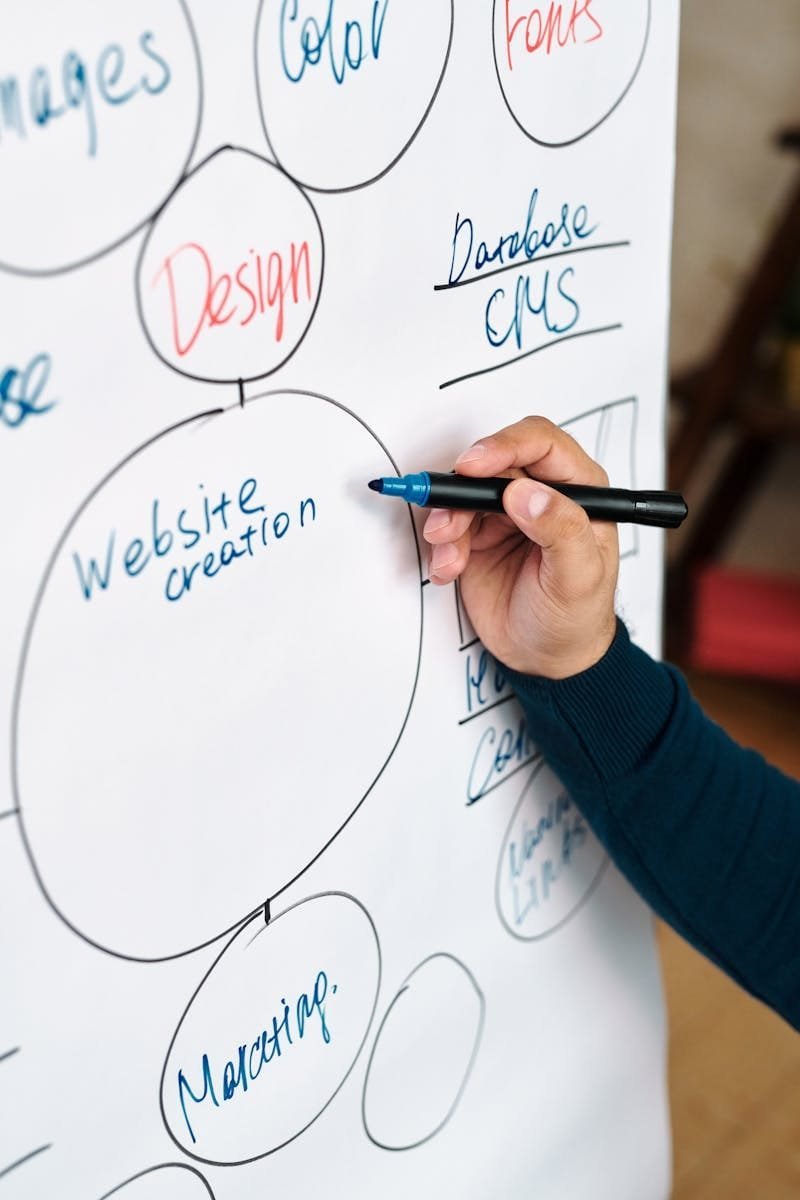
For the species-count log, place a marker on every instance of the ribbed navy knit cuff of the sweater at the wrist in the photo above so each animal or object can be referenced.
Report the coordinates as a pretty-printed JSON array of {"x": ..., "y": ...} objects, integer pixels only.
[{"x": 611, "y": 716}]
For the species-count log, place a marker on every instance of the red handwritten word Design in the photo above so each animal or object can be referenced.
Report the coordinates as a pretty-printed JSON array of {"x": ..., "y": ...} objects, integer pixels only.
[{"x": 200, "y": 298}]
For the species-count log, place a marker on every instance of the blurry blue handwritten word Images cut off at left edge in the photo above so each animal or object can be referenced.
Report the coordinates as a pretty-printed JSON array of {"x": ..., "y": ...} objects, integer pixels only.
[{"x": 77, "y": 86}]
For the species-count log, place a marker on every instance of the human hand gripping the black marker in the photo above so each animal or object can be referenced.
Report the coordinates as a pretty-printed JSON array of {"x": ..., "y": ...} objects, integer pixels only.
[{"x": 539, "y": 583}]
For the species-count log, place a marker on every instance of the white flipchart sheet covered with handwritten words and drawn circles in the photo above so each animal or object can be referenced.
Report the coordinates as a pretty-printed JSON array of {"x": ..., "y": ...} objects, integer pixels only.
[{"x": 290, "y": 902}]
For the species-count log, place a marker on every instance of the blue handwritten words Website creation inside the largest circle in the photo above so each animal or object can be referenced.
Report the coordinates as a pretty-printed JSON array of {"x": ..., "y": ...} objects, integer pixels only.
[{"x": 246, "y": 524}]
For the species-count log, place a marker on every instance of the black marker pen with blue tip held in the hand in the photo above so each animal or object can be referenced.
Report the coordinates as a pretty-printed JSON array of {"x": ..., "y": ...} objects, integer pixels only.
[{"x": 430, "y": 489}]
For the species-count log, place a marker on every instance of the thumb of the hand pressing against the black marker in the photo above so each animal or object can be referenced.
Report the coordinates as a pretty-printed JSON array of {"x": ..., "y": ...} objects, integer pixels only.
[{"x": 563, "y": 532}]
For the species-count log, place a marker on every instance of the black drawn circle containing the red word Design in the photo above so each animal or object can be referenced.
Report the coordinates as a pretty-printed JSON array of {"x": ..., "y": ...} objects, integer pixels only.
[{"x": 231, "y": 273}]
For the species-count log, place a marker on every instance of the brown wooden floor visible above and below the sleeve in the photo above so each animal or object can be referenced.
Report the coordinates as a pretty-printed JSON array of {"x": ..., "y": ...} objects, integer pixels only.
[{"x": 735, "y": 1067}]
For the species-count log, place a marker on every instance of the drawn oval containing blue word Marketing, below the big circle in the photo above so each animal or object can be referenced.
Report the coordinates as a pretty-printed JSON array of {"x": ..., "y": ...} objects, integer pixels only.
[{"x": 299, "y": 995}]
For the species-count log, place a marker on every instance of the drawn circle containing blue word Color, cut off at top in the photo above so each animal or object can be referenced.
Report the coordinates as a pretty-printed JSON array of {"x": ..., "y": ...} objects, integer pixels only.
[{"x": 344, "y": 92}]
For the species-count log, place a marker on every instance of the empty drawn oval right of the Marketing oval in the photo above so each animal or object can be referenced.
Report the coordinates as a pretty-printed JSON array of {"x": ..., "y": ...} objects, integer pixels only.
[{"x": 424, "y": 1054}]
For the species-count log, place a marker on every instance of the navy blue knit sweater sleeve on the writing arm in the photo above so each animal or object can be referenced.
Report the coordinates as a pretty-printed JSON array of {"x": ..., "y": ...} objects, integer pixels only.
[{"x": 706, "y": 831}]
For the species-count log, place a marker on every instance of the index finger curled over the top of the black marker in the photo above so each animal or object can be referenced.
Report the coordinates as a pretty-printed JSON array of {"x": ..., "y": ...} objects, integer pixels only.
[{"x": 538, "y": 447}]
